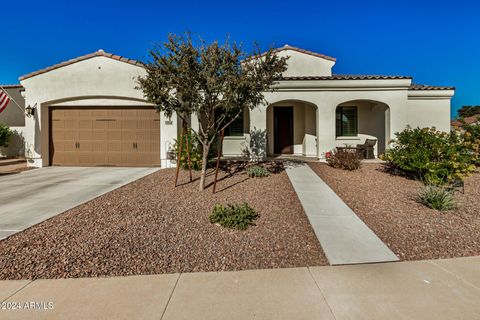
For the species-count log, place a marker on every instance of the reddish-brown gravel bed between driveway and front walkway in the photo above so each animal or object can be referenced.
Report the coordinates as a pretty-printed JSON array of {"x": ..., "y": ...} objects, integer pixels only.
[{"x": 148, "y": 227}]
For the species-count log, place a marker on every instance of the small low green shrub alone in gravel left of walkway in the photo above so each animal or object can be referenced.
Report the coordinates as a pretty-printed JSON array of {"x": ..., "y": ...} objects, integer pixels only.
[{"x": 236, "y": 216}]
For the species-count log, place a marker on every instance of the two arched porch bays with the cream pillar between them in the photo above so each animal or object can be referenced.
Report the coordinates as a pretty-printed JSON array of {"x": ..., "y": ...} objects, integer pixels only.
[{"x": 293, "y": 127}]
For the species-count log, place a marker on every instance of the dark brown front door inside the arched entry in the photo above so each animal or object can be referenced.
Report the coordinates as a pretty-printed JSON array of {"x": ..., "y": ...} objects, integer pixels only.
[{"x": 283, "y": 130}]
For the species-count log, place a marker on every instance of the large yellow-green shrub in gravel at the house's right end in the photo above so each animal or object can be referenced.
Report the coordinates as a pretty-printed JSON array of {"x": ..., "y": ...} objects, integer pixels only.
[{"x": 432, "y": 156}]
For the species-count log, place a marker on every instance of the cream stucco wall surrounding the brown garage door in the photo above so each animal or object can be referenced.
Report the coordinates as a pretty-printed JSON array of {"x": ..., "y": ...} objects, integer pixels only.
[{"x": 96, "y": 81}]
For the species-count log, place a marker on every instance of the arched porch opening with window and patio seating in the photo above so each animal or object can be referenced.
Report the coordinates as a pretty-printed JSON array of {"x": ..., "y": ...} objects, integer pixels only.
[{"x": 358, "y": 120}]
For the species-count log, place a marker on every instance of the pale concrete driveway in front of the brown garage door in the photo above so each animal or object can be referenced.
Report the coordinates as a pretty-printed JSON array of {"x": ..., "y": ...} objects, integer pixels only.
[{"x": 34, "y": 196}]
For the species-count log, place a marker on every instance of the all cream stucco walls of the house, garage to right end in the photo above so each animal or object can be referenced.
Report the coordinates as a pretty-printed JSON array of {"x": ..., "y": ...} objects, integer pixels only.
[{"x": 108, "y": 82}]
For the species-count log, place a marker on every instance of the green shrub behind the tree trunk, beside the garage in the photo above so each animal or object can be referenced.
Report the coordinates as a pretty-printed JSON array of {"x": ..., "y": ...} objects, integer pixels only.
[{"x": 196, "y": 151}]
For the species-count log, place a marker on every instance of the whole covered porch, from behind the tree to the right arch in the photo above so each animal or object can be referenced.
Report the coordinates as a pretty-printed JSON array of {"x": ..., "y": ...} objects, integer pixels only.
[{"x": 295, "y": 128}]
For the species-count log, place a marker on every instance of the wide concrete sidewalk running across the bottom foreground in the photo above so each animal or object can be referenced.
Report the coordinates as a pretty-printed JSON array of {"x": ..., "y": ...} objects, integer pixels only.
[{"x": 437, "y": 289}]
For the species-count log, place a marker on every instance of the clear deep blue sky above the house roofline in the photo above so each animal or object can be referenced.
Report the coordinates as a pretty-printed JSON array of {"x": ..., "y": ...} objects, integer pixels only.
[{"x": 436, "y": 43}]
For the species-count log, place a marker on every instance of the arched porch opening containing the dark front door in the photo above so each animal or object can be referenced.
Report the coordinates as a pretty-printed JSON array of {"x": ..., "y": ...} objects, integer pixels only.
[{"x": 292, "y": 128}]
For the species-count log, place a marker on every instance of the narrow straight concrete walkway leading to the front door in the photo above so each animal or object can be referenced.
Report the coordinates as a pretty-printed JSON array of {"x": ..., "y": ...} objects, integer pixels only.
[{"x": 345, "y": 239}]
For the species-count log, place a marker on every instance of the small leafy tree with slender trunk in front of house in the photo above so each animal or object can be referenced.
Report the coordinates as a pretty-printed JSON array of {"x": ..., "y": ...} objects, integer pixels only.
[{"x": 214, "y": 82}]
